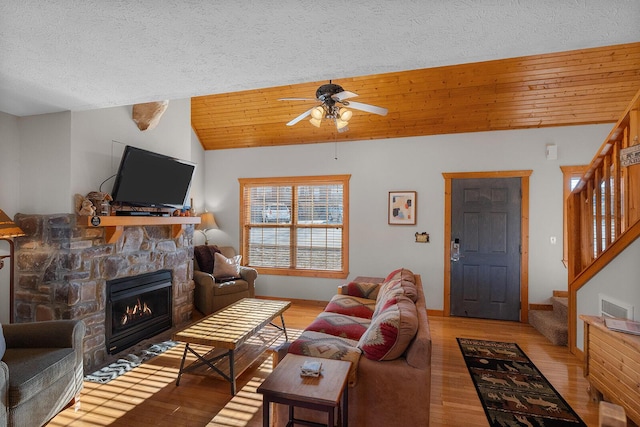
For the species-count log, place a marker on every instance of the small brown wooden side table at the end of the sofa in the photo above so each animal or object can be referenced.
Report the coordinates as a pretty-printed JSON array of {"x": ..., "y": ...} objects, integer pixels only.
[{"x": 324, "y": 393}]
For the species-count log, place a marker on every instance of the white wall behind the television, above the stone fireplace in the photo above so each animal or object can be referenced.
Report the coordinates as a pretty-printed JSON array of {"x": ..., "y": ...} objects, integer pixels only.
[{"x": 66, "y": 153}]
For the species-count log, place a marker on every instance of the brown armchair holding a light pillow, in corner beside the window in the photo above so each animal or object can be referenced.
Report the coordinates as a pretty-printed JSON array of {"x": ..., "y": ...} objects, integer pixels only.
[{"x": 219, "y": 278}]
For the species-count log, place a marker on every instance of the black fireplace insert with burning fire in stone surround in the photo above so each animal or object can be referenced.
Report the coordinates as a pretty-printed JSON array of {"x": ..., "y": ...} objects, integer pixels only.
[{"x": 138, "y": 307}]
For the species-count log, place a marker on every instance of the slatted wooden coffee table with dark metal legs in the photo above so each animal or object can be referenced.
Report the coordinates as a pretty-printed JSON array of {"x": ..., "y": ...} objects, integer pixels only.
[{"x": 238, "y": 334}]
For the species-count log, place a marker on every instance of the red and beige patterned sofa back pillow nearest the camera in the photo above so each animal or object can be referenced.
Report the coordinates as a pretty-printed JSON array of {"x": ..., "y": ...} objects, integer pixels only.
[{"x": 391, "y": 331}]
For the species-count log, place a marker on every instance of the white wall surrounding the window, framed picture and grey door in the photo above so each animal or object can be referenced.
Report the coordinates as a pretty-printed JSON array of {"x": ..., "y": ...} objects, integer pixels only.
[{"x": 380, "y": 166}]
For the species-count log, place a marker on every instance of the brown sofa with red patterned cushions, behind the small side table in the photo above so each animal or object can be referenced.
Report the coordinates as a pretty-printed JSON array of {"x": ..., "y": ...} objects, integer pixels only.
[{"x": 390, "y": 382}]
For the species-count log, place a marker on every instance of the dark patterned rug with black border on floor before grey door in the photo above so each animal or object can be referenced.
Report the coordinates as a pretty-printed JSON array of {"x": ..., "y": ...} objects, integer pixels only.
[{"x": 512, "y": 390}]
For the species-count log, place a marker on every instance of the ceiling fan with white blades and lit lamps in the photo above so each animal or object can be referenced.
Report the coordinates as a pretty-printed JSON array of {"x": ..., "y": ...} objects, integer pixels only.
[{"x": 333, "y": 100}]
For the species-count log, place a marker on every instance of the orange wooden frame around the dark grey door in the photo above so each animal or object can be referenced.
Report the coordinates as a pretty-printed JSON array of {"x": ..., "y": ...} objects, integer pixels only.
[{"x": 524, "y": 233}]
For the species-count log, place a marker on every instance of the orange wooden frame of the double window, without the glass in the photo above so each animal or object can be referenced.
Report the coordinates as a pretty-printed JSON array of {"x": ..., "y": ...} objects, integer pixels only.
[{"x": 294, "y": 182}]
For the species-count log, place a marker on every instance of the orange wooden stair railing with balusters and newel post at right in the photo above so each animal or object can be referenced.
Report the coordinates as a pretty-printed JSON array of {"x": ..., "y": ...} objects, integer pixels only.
[{"x": 603, "y": 210}]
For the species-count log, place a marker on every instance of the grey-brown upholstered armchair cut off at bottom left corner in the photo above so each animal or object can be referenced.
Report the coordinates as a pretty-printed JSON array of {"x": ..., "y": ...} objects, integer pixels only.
[{"x": 41, "y": 371}]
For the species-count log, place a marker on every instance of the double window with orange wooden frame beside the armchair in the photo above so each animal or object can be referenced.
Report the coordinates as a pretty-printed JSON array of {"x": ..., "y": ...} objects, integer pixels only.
[{"x": 296, "y": 226}]
